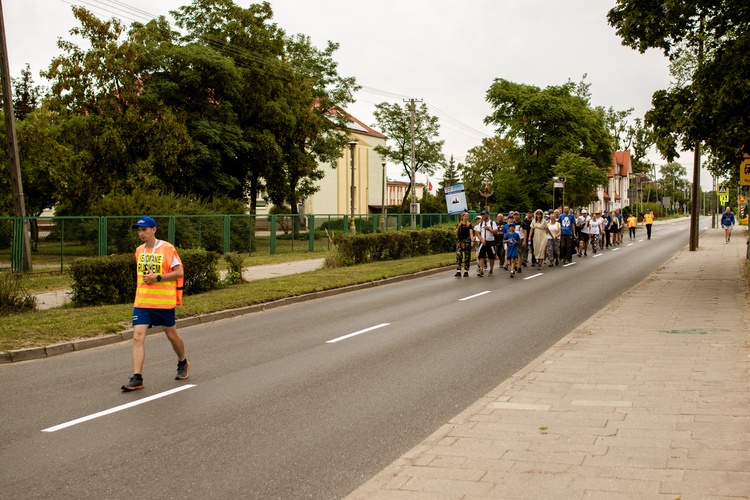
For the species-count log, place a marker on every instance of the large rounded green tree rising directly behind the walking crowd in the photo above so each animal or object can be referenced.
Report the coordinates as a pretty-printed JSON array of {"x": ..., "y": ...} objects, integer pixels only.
[{"x": 545, "y": 123}]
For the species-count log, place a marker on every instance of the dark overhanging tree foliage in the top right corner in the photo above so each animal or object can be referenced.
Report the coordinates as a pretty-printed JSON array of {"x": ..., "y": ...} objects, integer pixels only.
[{"x": 708, "y": 43}]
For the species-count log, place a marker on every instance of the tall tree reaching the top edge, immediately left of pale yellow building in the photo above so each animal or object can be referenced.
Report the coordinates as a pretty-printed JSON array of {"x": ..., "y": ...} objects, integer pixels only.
[{"x": 287, "y": 110}]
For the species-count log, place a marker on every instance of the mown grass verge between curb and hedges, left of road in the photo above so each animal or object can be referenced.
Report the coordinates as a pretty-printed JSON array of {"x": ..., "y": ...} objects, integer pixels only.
[{"x": 69, "y": 323}]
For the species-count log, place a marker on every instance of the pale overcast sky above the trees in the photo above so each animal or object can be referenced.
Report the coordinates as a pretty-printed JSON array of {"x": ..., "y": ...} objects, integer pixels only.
[{"x": 444, "y": 52}]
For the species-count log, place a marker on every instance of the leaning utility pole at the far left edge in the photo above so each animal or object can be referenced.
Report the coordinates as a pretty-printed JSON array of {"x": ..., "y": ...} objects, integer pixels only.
[{"x": 19, "y": 204}]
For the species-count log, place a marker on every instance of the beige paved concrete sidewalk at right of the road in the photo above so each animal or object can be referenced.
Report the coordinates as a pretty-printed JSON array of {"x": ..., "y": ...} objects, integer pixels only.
[{"x": 650, "y": 398}]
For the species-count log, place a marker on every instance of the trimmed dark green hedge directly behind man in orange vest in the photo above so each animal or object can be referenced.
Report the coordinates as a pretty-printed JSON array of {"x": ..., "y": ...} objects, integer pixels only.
[{"x": 112, "y": 279}]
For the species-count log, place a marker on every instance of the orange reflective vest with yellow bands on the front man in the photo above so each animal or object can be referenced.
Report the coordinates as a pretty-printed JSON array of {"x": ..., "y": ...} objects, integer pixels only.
[{"x": 158, "y": 260}]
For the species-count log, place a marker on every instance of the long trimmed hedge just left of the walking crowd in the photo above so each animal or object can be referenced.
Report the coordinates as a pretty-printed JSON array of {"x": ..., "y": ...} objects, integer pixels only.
[{"x": 360, "y": 249}]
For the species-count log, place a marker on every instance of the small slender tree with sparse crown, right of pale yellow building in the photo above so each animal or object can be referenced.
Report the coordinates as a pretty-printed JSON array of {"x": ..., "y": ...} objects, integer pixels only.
[{"x": 395, "y": 122}]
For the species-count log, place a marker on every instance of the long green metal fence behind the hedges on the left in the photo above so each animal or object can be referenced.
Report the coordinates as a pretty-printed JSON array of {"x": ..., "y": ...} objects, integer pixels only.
[{"x": 57, "y": 241}]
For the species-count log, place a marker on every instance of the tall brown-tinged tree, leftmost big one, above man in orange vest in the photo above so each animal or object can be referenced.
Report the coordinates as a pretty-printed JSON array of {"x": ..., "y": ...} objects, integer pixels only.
[{"x": 97, "y": 92}]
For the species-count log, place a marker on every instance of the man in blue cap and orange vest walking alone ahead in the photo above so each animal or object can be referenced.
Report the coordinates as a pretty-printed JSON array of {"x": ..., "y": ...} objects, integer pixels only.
[{"x": 158, "y": 292}]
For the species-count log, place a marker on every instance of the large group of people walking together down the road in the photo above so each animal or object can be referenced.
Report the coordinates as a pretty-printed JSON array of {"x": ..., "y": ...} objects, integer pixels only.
[{"x": 542, "y": 238}]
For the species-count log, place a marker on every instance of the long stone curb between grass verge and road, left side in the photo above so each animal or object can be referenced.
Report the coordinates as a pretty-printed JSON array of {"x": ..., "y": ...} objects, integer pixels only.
[{"x": 79, "y": 345}]
